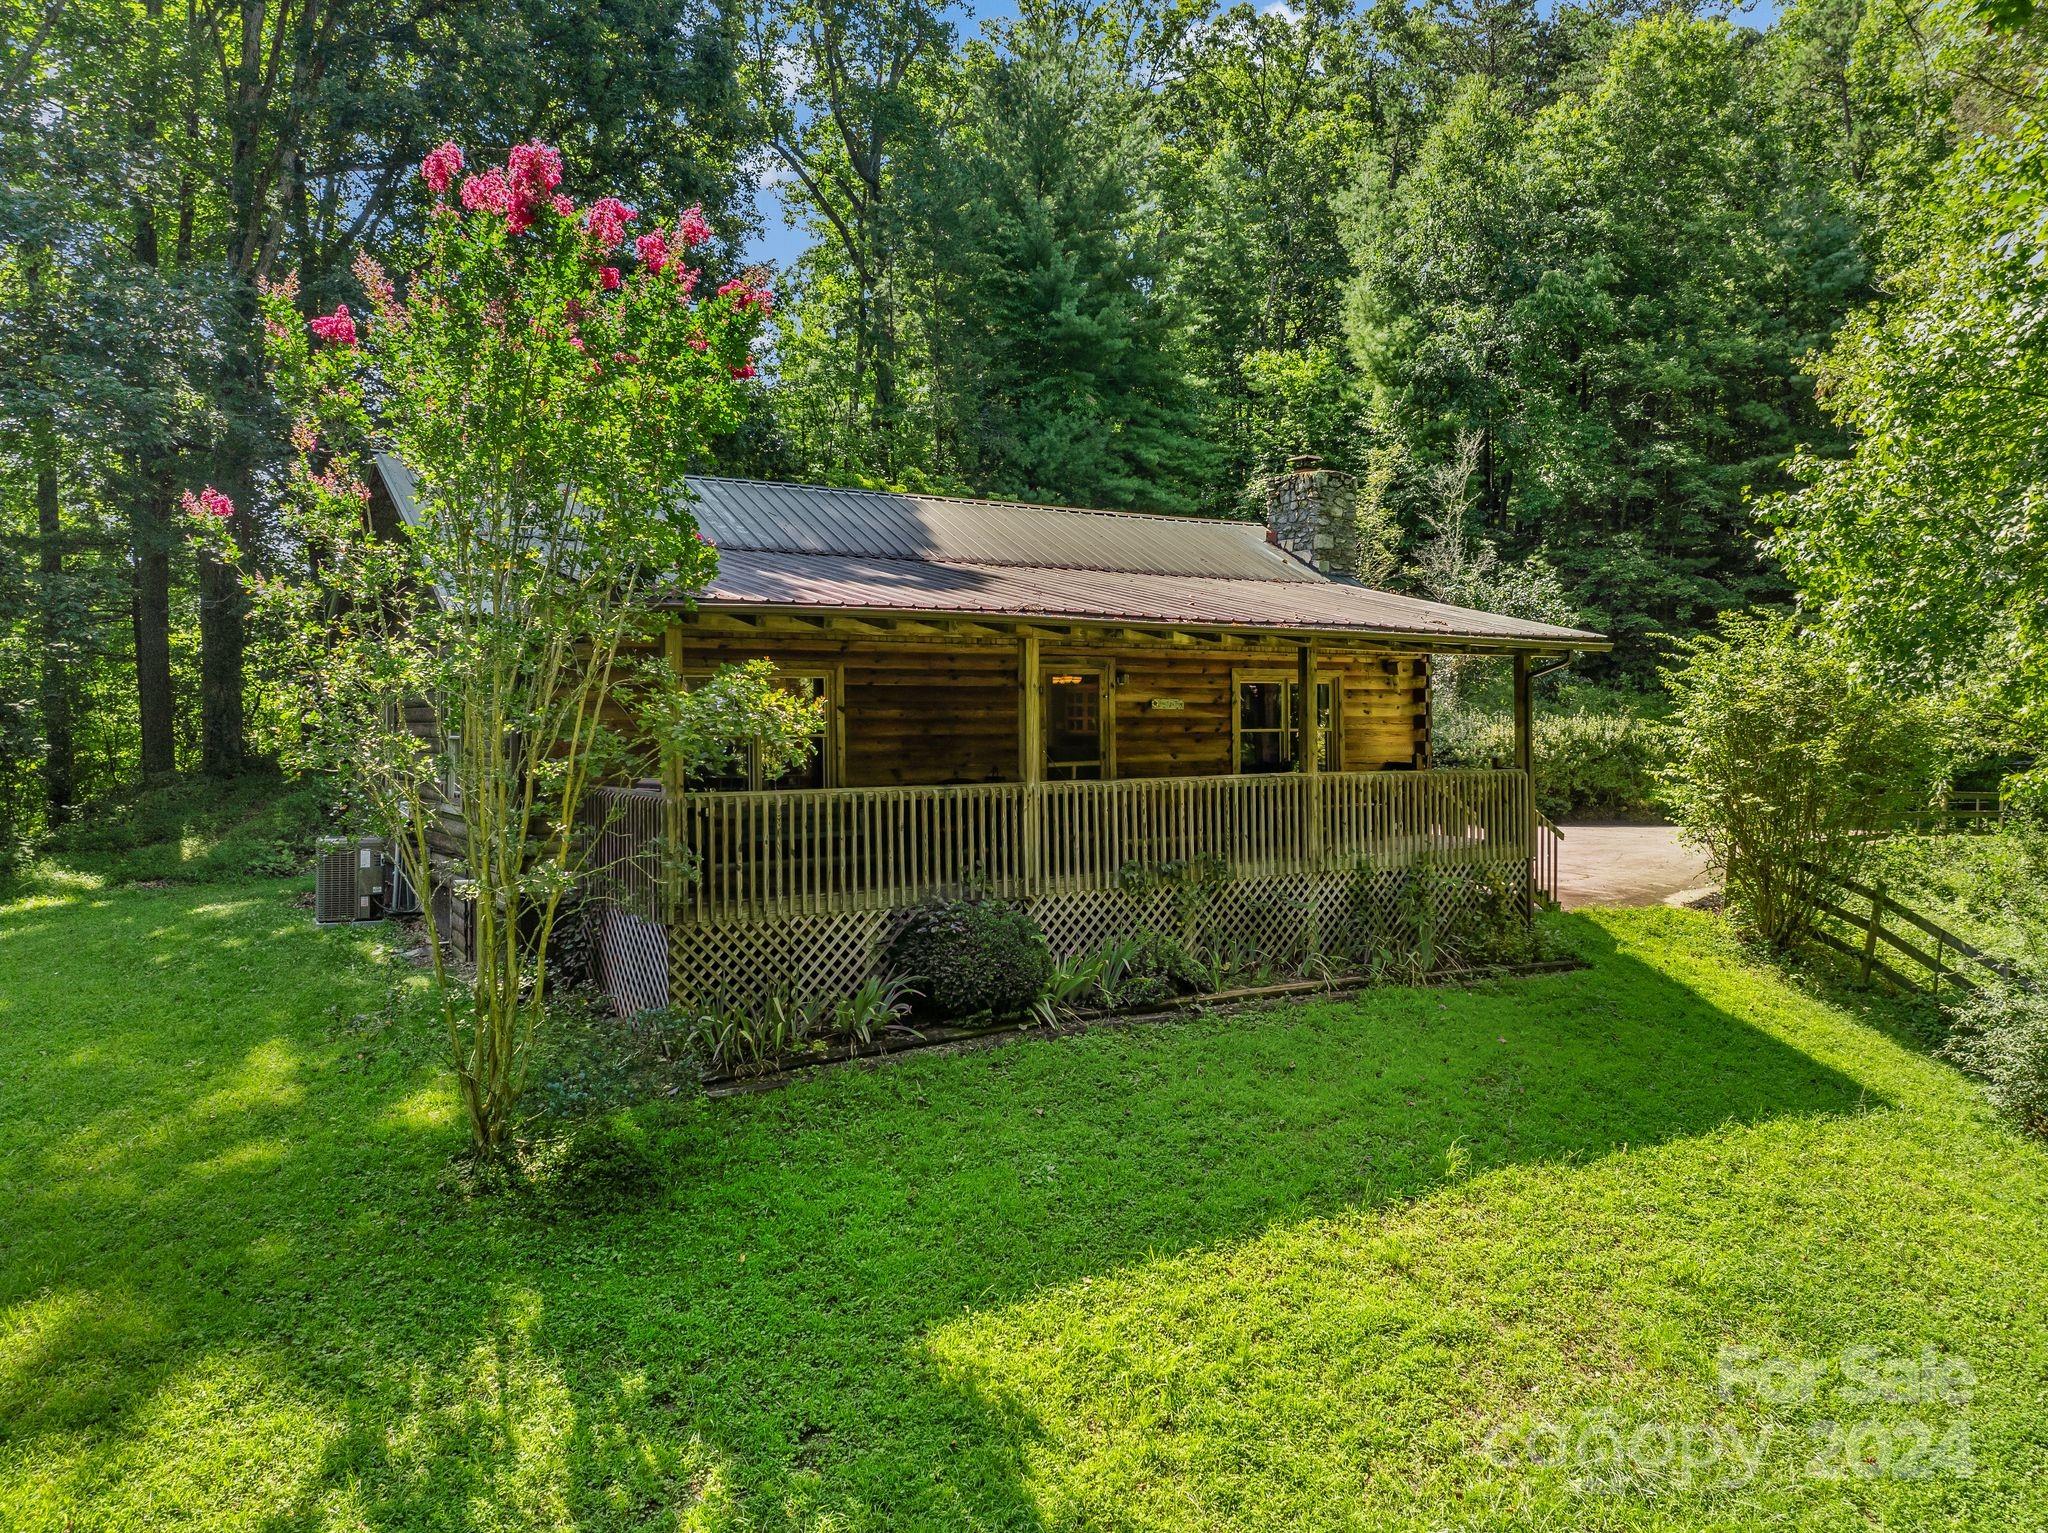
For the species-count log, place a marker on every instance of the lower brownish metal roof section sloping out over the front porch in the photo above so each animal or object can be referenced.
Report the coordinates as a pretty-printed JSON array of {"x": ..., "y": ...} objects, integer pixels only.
[{"x": 771, "y": 580}]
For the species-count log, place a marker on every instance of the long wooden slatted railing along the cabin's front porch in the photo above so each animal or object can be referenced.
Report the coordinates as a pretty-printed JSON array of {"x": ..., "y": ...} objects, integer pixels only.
[{"x": 759, "y": 857}]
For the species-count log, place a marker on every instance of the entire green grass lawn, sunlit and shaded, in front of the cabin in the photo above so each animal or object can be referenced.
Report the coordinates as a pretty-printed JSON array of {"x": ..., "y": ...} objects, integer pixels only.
[{"x": 1263, "y": 1272}]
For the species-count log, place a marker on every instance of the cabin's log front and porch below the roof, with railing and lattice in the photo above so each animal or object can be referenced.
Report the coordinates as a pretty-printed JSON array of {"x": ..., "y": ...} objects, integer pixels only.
[{"x": 1082, "y": 777}]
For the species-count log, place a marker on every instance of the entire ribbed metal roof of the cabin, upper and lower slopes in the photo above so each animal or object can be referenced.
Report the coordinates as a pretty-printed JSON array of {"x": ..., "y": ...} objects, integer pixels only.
[{"x": 808, "y": 547}]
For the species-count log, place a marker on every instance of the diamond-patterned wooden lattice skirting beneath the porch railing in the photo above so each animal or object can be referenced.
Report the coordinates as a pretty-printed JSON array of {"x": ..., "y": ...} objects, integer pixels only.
[{"x": 1279, "y": 920}]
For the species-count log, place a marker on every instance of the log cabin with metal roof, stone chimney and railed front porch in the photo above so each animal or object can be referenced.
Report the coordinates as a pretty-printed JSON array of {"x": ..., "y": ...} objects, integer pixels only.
[{"x": 1043, "y": 705}]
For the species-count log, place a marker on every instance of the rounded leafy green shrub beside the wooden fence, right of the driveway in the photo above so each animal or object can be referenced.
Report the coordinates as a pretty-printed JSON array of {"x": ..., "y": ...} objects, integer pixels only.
[{"x": 1785, "y": 762}]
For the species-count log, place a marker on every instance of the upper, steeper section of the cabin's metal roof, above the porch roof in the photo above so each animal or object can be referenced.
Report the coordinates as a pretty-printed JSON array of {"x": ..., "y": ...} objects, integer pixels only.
[{"x": 935, "y": 529}]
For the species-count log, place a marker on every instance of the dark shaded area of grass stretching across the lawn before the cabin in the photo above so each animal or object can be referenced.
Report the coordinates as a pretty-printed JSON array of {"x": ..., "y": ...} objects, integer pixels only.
[{"x": 759, "y": 1346}]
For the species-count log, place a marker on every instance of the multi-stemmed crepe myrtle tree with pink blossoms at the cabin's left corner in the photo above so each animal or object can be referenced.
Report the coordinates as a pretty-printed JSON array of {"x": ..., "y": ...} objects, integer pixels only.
[{"x": 550, "y": 378}]
